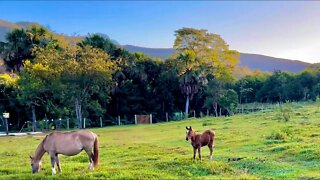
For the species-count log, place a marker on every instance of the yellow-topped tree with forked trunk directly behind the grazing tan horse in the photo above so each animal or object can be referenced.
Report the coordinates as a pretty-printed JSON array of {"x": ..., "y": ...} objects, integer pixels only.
[{"x": 87, "y": 72}]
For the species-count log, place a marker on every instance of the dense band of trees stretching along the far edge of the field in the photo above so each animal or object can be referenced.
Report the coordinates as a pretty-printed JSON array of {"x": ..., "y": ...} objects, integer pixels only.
[{"x": 48, "y": 79}]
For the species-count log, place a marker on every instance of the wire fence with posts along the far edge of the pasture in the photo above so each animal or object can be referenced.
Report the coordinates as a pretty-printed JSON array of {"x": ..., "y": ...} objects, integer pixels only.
[{"x": 45, "y": 125}]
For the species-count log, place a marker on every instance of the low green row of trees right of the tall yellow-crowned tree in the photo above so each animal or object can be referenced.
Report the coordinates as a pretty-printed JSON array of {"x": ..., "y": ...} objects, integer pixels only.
[{"x": 279, "y": 87}]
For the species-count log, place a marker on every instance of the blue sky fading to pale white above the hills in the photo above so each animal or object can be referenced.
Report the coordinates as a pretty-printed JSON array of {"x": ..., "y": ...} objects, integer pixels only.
[{"x": 287, "y": 29}]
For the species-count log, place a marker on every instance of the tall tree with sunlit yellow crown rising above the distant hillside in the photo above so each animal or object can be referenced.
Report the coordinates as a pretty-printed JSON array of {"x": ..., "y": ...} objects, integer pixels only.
[{"x": 200, "y": 53}]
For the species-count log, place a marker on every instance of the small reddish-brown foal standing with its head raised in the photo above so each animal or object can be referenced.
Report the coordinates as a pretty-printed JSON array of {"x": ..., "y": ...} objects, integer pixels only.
[{"x": 199, "y": 140}]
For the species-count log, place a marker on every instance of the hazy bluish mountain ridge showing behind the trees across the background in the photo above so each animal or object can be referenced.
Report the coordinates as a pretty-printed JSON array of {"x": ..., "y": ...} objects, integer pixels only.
[{"x": 250, "y": 60}]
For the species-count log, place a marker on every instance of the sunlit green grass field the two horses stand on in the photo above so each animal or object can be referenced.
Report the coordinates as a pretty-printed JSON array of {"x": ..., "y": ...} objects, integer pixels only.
[{"x": 271, "y": 148}]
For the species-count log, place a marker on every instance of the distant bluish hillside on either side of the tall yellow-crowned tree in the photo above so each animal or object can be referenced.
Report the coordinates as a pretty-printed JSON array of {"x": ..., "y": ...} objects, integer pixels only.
[{"x": 252, "y": 61}]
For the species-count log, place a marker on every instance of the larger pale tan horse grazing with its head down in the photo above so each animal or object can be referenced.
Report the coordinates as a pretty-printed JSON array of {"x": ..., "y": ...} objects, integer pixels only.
[{"x": 69, "y": 144}]
